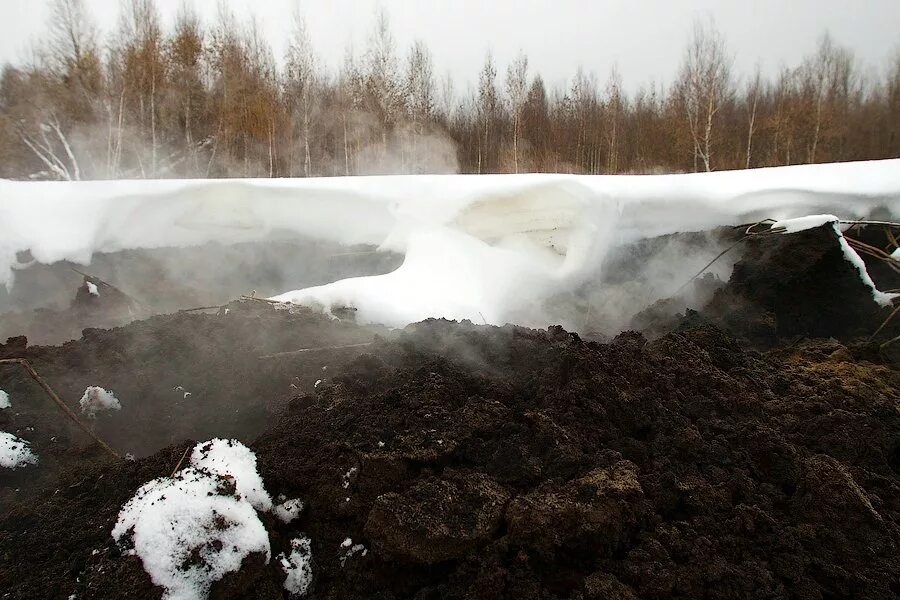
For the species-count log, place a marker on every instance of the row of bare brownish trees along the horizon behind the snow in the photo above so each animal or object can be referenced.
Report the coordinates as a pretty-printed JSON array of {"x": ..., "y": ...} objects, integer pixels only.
[{"x": 213, "y": 101}]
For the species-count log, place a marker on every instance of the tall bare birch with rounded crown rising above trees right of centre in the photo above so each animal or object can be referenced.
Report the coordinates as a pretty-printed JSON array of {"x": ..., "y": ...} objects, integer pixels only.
[{"x": 705, "y": 86}]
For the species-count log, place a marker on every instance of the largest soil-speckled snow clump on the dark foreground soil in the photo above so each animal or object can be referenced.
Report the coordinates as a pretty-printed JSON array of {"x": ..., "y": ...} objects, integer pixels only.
[{"x": 190, "y": 530}]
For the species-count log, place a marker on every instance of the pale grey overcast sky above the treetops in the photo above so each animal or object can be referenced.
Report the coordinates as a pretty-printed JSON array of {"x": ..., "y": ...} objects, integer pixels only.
[{"x": 644, "y": 38}]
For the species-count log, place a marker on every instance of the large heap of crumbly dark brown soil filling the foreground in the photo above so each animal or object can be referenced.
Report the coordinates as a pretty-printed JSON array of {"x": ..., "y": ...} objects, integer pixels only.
[{"x": 476, "y": 461}]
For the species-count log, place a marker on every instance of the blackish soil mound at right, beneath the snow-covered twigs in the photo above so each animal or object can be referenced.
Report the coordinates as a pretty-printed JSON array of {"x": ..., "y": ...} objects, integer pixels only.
[{"x": 787, "y": 287}]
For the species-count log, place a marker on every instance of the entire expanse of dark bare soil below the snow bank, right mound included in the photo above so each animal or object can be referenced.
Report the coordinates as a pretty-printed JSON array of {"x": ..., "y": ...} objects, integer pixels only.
[{"x": 750, "y": 449}]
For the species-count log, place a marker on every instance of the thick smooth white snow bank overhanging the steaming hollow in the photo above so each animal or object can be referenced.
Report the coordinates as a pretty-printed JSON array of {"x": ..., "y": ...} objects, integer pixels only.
[{"x": 487, "y": 248}]
